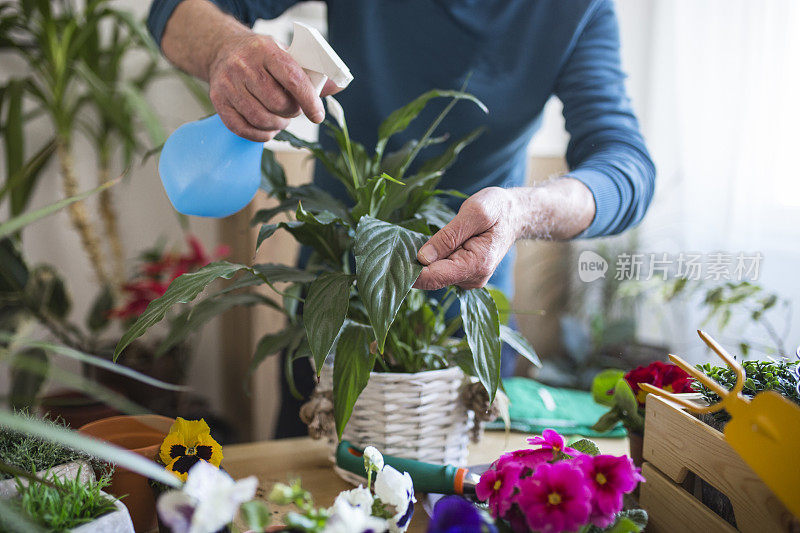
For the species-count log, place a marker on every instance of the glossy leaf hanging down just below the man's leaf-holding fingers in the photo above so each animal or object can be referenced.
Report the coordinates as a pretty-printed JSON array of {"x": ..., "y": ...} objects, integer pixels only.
[{"x": 482, "y": 331}]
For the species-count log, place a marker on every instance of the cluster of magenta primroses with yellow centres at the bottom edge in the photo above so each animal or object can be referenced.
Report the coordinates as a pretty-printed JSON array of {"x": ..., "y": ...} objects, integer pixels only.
[{"x": 556, "y": 487}]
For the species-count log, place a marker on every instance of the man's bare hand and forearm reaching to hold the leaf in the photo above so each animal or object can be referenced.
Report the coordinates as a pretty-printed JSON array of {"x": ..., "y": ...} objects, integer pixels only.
[{"x": 466, "y": 251}]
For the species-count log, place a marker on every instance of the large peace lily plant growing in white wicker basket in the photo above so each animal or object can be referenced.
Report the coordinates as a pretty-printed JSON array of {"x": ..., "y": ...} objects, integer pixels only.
[{"x": 356, "y": 289}]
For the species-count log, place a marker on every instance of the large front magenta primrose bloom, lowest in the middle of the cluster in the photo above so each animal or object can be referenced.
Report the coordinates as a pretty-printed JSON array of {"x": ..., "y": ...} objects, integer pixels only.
[{"x": 557, "y": 497}]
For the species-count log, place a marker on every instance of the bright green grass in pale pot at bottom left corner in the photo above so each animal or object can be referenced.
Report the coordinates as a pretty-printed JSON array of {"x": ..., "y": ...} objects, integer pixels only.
[{"x": 60, "y": 504}]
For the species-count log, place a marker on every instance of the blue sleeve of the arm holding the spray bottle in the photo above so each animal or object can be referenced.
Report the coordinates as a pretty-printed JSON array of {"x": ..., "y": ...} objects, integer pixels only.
[{"x": 246, "y": 11}]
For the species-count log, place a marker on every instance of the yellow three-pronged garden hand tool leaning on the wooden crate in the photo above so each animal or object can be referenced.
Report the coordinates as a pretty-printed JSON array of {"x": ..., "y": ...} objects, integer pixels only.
[{"x": 764, "y": 431}]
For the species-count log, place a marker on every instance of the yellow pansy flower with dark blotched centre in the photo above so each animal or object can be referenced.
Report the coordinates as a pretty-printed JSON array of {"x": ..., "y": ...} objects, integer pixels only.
[{"x": 187, "y": 443}]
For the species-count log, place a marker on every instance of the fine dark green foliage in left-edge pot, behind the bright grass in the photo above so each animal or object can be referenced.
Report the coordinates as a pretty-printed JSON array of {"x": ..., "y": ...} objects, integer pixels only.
[{"x": 32, "y": 453}]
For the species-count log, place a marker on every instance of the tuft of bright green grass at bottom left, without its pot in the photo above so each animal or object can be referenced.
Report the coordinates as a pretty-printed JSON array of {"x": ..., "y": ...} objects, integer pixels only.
[{"x": 65, "y": 504}]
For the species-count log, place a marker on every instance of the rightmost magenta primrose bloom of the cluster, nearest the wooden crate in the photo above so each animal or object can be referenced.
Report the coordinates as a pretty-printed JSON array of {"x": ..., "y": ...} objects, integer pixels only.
[{"x": 610, "y": 477}]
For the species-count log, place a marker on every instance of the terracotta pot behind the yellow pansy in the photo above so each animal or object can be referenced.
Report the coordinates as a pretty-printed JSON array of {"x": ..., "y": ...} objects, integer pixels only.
[{"x": 141, "y": 434}]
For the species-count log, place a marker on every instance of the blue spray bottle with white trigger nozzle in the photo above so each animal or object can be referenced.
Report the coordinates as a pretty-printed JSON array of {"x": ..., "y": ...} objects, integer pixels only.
[{"x": 209, "y": 171}]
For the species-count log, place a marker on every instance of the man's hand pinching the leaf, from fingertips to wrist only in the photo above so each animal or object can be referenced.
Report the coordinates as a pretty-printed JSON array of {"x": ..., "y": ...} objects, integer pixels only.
[{"x": 467, "y": 250}]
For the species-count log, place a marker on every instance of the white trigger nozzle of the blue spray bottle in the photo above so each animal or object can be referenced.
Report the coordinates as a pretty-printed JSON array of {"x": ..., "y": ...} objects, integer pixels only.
[{"x": 315, "y": 55}]
